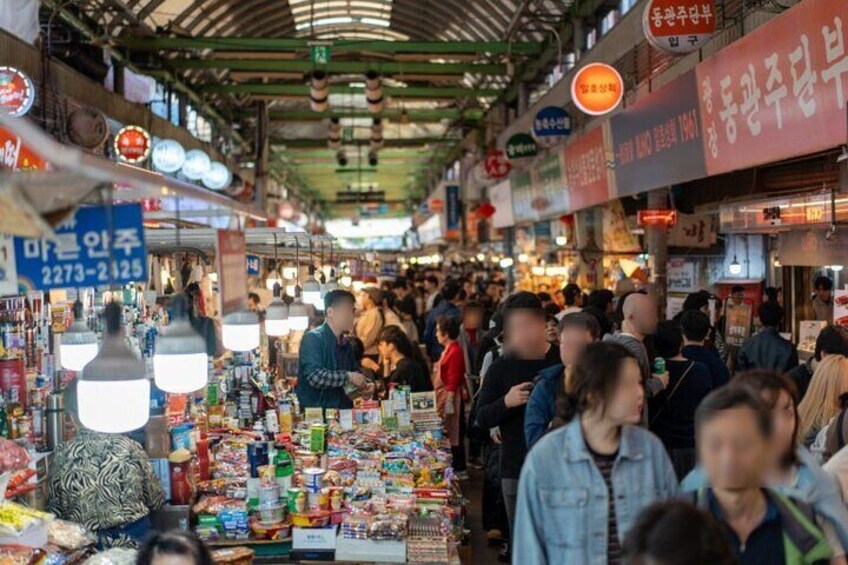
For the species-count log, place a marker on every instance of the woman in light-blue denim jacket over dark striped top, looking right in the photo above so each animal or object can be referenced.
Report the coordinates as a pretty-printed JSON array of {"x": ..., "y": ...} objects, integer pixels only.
[{"x": 583, "y": 485}]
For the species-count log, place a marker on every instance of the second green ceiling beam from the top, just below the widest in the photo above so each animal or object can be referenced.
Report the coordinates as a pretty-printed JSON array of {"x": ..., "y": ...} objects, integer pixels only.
[{"x": 341, "y": 67}]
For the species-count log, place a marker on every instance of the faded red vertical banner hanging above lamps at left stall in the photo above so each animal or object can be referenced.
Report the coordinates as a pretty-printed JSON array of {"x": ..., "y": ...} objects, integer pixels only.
[{"x": 230, "y": 260}]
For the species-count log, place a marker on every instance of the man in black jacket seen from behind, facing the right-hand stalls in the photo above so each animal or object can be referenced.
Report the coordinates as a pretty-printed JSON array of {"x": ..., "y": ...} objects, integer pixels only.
[{"x": 767, "y": 349}]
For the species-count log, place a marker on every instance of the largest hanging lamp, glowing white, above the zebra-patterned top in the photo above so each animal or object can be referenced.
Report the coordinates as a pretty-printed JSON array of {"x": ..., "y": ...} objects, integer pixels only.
[{"x": 114, "y": 393}]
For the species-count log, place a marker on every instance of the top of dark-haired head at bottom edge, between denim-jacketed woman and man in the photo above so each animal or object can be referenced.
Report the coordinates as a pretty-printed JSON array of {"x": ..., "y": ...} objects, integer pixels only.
[{"x": 676, "y": 533}]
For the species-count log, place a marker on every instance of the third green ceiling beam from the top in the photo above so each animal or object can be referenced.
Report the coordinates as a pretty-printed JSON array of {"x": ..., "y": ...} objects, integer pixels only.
[{"x": 262, "y": 89}]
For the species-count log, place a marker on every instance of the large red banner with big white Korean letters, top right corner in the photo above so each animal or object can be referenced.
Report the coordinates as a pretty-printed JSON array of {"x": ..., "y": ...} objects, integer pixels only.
[{"x": 779, "y": 92}]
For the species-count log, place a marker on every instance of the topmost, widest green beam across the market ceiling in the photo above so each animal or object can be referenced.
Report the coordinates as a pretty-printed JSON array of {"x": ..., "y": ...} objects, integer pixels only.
[{"x": 338, "y": 46}]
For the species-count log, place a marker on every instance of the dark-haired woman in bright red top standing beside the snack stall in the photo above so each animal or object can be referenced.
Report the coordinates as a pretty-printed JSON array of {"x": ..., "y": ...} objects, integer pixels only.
[{"x": 451, "y": 388}]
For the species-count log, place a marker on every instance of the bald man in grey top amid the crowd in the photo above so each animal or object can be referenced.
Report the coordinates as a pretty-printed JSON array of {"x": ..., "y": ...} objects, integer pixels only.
[{"x": 640, "y": 317}]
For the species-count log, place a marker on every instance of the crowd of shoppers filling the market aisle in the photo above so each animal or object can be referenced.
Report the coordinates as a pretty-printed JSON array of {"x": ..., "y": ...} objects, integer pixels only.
[{"x": 605, "y": 435}]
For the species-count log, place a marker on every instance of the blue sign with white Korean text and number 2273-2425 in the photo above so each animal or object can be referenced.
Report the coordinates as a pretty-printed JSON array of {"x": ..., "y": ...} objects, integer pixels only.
[{"x": 80, "y": 254}]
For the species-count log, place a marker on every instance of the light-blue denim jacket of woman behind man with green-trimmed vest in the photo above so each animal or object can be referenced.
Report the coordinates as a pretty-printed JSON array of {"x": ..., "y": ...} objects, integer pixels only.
[{"x": 812, "y": 486}]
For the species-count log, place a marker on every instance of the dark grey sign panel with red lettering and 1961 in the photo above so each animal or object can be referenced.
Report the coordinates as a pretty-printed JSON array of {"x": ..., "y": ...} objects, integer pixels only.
[{"x": 657, "y": 141}]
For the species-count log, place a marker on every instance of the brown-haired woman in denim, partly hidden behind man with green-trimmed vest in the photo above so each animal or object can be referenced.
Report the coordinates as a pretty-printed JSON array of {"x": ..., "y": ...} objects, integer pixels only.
[{"x": 794, "y": 471}]
